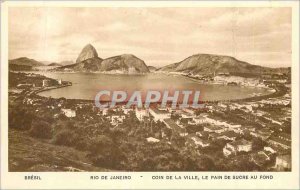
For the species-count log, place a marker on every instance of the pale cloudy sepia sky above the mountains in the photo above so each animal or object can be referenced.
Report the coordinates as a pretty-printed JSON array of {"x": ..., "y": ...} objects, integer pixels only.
[{"x": 159, "y": 36}]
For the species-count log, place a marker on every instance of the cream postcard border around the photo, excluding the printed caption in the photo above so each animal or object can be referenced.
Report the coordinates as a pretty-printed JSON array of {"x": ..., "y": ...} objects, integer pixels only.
[{"x": 65, "y": 180}]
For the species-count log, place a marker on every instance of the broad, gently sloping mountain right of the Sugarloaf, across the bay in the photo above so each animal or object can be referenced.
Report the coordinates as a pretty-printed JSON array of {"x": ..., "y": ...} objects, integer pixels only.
[{"x": 208, "y": 64}]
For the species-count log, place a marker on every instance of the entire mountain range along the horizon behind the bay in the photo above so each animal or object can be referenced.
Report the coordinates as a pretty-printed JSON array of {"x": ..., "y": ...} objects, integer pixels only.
[{"x": 89, "y": 61}]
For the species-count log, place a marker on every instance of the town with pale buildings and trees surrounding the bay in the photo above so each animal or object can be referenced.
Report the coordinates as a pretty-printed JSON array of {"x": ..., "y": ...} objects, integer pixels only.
[{"x": 250, "y": 134}]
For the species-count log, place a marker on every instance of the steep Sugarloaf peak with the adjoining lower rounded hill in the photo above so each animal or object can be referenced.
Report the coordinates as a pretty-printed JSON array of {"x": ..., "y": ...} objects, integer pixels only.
[{"x": 88, "y": 61}]
